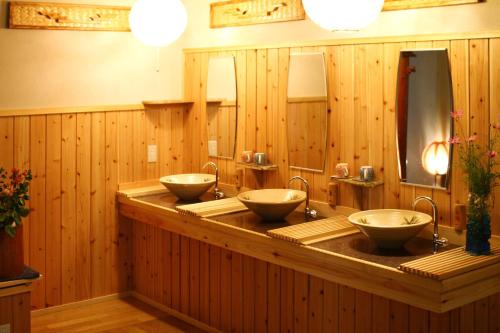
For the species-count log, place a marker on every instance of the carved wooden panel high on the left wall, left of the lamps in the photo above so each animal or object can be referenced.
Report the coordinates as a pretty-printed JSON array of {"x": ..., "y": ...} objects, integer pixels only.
[{"x": 58, "y": 16}]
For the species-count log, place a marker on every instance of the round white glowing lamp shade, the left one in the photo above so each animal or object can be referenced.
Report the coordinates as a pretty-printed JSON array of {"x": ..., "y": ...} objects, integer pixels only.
[{"x": 158, "y": 22}]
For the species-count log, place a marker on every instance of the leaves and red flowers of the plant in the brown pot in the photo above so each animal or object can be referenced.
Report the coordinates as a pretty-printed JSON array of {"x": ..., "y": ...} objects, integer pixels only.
[{"x": 14, "y": 189}]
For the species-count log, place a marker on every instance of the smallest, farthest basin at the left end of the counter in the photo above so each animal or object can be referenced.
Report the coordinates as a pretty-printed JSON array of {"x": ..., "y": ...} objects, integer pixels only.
[{"x": 188, "y": 186}]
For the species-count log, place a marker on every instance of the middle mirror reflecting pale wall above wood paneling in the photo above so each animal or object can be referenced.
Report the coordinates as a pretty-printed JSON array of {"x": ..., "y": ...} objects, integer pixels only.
[{"x": 307, "y": 111}]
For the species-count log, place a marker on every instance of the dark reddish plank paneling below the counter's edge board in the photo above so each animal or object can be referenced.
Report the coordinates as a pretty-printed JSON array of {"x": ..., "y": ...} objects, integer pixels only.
[{"x": 250, "y": 295}]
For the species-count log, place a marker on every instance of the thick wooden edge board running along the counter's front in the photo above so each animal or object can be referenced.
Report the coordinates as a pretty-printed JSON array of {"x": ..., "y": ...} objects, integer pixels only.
[{"x": 436, "y": 296}]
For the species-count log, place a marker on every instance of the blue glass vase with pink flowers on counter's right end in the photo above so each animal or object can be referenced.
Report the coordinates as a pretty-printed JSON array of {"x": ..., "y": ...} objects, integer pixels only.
[{"x": 480, "y": 166}]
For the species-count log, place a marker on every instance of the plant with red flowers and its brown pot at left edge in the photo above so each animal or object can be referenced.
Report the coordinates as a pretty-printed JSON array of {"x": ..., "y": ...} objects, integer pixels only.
[{"x": 14, "y": 189}]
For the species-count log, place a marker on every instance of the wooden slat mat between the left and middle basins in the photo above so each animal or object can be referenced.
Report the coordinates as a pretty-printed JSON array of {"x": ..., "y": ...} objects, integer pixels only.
[{"x": 212, "y": 208}]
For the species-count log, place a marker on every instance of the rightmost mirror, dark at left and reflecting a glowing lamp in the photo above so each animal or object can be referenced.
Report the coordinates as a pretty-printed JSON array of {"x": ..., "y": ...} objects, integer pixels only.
[{"x": 424, "y": 103}]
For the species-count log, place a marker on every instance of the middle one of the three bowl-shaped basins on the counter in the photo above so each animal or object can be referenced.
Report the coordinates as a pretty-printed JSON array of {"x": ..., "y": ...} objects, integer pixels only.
[{"x": 272, "y": 204}]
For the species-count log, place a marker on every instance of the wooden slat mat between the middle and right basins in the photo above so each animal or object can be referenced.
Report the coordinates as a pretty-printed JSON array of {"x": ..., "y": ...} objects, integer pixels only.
[{"x": 312, "y": 232}]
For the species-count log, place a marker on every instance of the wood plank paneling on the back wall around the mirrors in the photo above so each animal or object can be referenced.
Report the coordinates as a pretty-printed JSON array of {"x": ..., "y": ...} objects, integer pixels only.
[{"x": 361, "y": 118}]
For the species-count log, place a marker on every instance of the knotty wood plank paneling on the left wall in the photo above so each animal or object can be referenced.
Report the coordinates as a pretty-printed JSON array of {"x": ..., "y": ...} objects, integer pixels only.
[{"x": 73, "y": 235}]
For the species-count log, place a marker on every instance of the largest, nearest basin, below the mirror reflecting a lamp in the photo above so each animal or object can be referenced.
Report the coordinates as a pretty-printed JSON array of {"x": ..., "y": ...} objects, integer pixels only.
[{"x": 390, "y": 228}]
